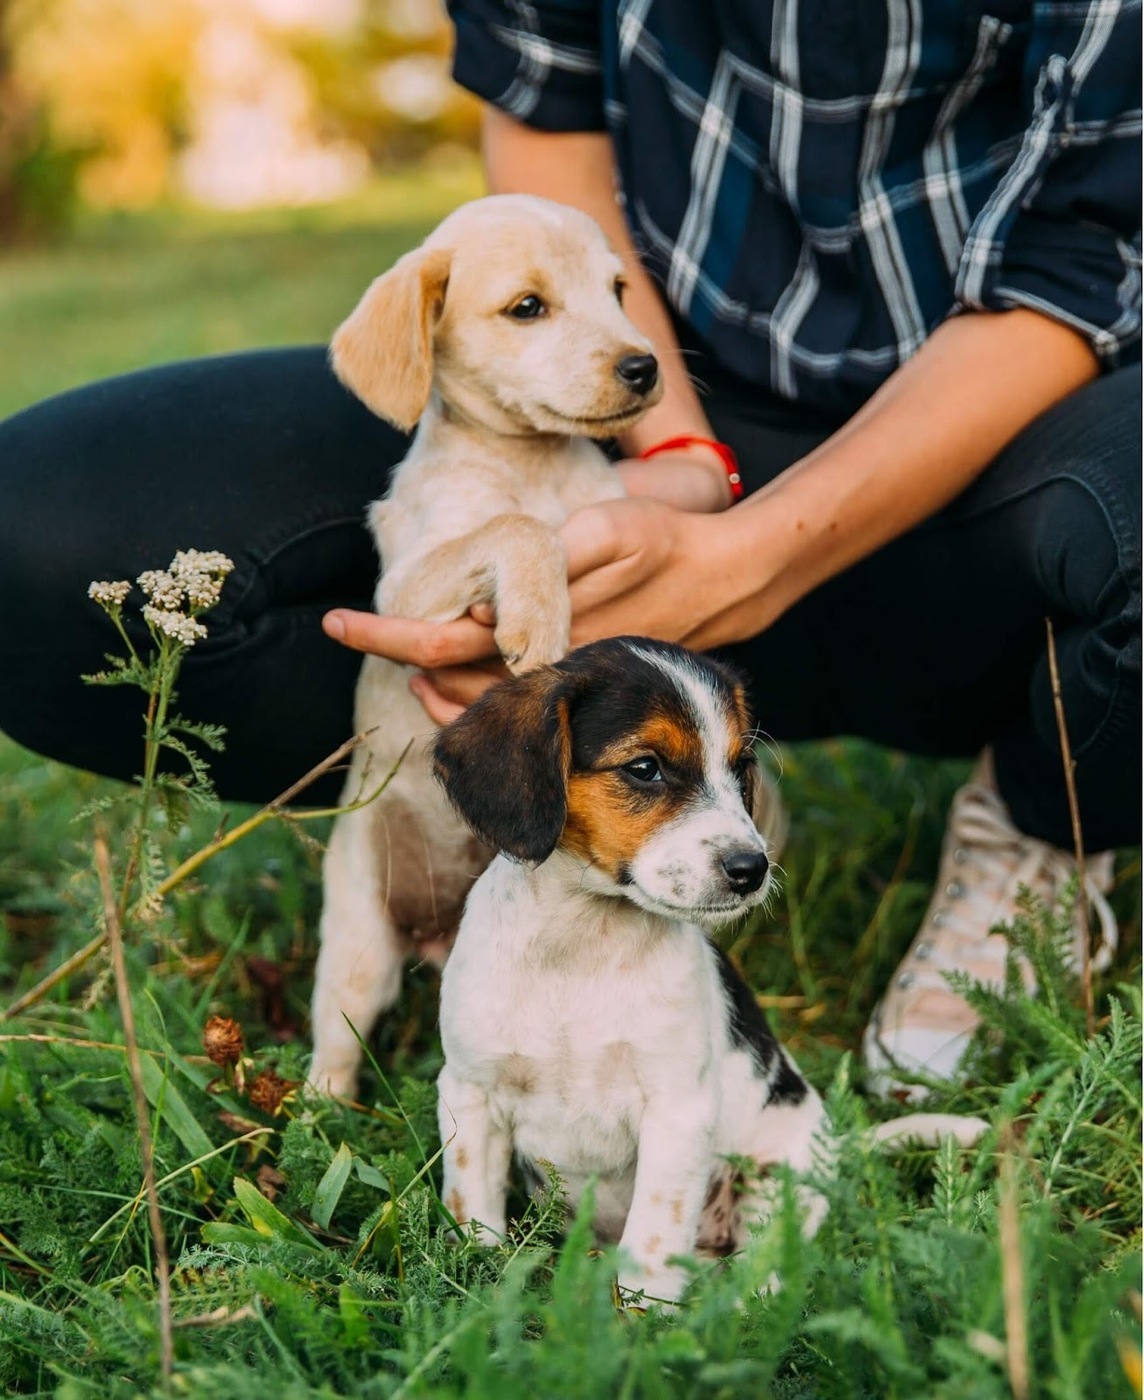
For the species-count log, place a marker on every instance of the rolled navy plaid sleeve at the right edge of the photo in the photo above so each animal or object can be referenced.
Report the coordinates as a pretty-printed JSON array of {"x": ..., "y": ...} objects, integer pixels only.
[{"x": 1062, "y": 232}]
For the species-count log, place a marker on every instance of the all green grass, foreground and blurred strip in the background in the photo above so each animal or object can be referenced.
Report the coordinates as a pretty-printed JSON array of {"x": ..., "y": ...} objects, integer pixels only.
[{"x": 306, "y": 1244}]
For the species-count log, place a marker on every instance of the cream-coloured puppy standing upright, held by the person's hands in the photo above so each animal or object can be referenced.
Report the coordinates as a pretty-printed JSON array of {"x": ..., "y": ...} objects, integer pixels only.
[{"x": 505, "y": 335}]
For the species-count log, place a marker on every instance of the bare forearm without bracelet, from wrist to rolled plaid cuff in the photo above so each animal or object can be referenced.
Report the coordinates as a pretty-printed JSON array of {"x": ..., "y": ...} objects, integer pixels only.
[{"x": 922, "y": 440}]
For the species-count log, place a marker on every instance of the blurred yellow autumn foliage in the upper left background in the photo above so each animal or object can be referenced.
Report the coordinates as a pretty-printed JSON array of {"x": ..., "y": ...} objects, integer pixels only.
[{"x": 232, "y": 101}]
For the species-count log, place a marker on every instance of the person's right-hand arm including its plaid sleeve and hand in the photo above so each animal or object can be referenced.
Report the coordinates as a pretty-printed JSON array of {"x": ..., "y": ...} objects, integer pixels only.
[{"x": 1054, "y": 243}]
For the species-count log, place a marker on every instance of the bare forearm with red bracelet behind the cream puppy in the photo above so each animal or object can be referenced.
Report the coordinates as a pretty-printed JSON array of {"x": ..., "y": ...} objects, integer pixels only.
[{"x": 579, "y": 169}]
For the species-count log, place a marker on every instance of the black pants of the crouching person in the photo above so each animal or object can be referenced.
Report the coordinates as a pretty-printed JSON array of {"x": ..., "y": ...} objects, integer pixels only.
[{"x": 935, "y": 646}]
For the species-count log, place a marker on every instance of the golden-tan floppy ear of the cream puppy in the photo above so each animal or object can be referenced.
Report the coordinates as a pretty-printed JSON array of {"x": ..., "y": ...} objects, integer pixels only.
[{"x": 384, "y": 352}]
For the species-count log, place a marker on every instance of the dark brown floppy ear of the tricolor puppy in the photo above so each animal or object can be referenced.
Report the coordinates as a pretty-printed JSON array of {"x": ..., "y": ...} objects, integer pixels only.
[{"x": 505, "y": 764}]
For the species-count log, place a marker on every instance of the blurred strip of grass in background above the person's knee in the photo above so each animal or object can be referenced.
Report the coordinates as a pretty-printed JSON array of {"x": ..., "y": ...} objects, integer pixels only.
[{"x": 137, "y": 290}]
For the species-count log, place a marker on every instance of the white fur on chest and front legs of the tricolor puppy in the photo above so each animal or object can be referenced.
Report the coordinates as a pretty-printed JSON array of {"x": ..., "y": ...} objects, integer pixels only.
[{"x": 587, "y": 1034}]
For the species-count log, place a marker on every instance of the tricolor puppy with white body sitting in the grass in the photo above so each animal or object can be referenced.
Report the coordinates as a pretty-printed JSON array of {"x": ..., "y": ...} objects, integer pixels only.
[{"x": 587, "y": 1020}]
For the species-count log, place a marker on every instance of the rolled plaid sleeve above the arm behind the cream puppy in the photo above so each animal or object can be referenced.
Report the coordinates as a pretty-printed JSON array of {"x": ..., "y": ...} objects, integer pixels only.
[{"x": 536, "y": 59}]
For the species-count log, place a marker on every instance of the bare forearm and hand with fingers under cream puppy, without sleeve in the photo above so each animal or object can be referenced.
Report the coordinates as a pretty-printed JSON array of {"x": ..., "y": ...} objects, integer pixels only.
[{"x": 641, "y": 566}]
